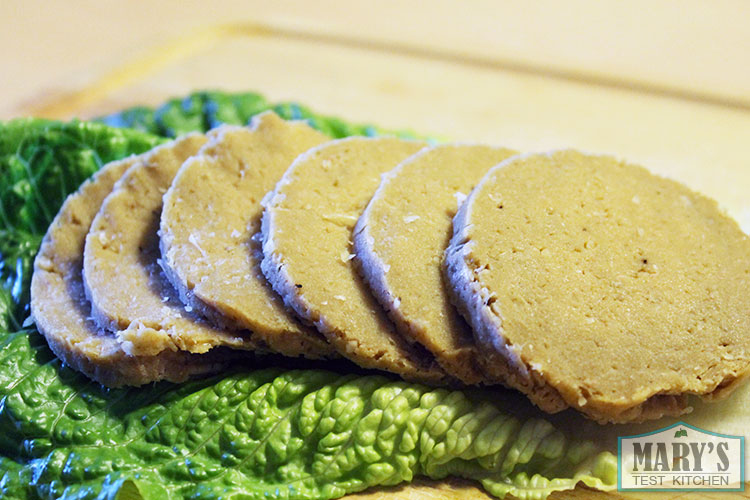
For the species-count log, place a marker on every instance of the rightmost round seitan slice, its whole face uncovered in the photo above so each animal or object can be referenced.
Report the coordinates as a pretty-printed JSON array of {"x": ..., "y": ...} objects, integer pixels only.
[{"x": 620, "y": 290}]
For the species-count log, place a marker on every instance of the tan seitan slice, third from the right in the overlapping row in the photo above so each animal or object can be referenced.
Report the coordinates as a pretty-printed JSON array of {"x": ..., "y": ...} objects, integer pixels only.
[{"x": 307, "y": 245}]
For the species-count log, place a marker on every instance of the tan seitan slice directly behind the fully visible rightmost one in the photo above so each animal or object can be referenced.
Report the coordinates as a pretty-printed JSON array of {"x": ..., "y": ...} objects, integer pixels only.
[{"x": 400, "y": 239}]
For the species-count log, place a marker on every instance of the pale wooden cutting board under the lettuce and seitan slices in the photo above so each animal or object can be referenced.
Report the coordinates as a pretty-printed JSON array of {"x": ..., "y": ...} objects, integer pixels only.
[{"x": 703, "y": 144}]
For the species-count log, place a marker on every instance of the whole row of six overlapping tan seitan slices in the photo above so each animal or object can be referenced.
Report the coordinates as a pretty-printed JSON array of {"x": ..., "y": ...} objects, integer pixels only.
[{"x": 585, "y": 282}]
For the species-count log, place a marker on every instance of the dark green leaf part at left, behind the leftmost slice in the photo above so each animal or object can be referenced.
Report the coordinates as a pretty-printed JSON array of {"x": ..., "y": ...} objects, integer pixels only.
[{"x": 41, "y": 161}]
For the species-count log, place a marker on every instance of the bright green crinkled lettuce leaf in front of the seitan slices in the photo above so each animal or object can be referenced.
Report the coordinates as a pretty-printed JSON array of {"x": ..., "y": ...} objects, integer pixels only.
[{"x": 265, "y": 434}]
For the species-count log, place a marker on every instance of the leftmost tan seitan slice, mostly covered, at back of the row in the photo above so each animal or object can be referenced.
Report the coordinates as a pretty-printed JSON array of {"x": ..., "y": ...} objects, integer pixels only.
[{"x": 62, "y": 312}]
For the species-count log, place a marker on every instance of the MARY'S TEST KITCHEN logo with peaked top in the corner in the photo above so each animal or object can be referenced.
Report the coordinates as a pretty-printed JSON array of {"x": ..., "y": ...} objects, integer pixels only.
[{"x": 681, "y": 458}]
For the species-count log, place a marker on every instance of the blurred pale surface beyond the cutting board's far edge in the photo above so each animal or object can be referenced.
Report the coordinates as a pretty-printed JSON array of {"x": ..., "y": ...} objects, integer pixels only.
[{"x": 689, "y": 48}]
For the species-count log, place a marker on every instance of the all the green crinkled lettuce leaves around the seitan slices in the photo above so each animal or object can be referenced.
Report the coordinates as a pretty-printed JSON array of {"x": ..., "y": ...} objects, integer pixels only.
[{"x": 270, "y": 433}]
